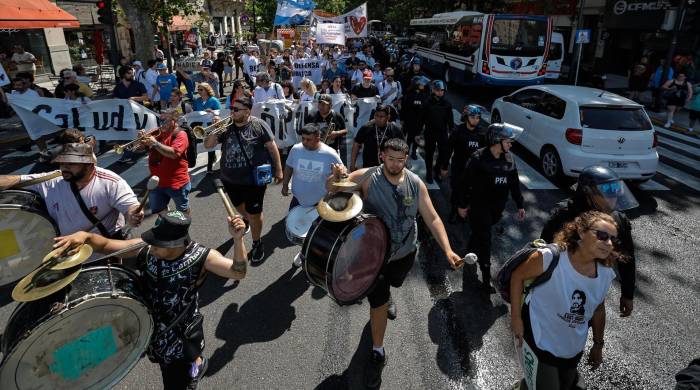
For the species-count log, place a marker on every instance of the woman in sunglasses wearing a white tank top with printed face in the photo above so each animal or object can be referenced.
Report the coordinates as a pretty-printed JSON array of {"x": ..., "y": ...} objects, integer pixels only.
[{"x": 550, "y": 323}]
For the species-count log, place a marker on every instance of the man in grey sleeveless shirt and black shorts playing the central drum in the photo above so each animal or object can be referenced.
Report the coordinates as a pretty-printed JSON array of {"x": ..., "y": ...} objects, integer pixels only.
[{"x": 396, "y": 195}]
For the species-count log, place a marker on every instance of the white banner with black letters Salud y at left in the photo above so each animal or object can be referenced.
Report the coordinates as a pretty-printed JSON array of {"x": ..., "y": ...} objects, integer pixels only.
[{"x": 108, "y": 120}]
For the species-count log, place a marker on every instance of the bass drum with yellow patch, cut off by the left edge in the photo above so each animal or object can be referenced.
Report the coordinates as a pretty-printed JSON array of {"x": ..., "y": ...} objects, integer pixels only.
[{"x": 26, "y": 233}]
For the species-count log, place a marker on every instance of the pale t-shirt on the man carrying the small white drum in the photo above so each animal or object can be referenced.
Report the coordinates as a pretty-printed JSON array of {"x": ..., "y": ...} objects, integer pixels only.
[{"x": 311, "y": 168}]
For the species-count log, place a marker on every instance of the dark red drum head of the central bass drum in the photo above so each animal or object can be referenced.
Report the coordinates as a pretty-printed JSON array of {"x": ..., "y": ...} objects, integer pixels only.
[{"x": 360, "y": 258}]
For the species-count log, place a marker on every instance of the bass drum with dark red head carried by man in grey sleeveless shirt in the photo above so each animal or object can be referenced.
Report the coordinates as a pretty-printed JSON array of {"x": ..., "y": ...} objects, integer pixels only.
[{"x": 344, "y": 258}]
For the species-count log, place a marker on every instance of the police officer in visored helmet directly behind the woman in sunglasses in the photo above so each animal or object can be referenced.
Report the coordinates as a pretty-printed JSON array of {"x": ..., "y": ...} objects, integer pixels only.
[{"x": 600, "y": 188}]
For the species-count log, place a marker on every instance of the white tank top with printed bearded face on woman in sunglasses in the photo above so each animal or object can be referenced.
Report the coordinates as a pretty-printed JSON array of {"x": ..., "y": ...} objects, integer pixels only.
[{"x": 561, "y": 307}]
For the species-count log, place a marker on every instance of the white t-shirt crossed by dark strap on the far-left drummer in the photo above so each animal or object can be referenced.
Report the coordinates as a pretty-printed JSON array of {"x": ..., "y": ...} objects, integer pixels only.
[{"x": 107, "y": 195}]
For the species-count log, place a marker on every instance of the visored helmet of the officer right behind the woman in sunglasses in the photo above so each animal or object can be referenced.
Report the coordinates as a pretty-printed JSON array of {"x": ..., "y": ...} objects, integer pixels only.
[{"x": 603, "y": 189}]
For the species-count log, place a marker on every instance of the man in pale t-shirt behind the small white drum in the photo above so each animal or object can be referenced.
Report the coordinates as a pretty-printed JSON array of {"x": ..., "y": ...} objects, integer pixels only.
[{"x": 309, "y": 163}]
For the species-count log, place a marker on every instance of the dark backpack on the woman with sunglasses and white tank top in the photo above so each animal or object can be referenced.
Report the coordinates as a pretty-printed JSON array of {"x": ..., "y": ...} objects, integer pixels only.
[{"x": 502, "y": 281}]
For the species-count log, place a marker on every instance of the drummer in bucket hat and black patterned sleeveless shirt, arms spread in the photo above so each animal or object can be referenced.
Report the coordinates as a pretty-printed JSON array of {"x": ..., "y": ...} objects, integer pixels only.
[{"x": 173, "y": 267}]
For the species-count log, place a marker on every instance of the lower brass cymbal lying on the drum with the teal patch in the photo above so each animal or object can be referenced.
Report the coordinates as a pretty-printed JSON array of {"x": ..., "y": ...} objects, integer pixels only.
[{"x": 55, "y": 279}]
